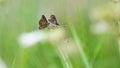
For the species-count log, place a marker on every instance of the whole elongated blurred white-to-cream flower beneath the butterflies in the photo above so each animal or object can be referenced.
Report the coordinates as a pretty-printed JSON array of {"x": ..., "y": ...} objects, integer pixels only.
[{"x": 31, "y": 38}]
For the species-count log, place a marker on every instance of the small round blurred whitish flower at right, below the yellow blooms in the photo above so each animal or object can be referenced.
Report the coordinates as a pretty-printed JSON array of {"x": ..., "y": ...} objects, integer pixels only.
[{"x": 99, "y": 27}]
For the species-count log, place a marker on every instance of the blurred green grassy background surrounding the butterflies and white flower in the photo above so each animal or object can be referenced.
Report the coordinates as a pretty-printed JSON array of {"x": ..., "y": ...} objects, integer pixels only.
[{"x": 95, "y": 50}]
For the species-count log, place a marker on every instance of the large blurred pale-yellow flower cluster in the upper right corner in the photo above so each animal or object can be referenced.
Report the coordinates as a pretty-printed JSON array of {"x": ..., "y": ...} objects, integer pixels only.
[{"x": 109, "y": 13}]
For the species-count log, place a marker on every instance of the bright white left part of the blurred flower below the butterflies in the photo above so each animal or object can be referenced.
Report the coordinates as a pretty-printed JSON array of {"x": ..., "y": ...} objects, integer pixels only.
[{"x": 31, "y": 38}]
